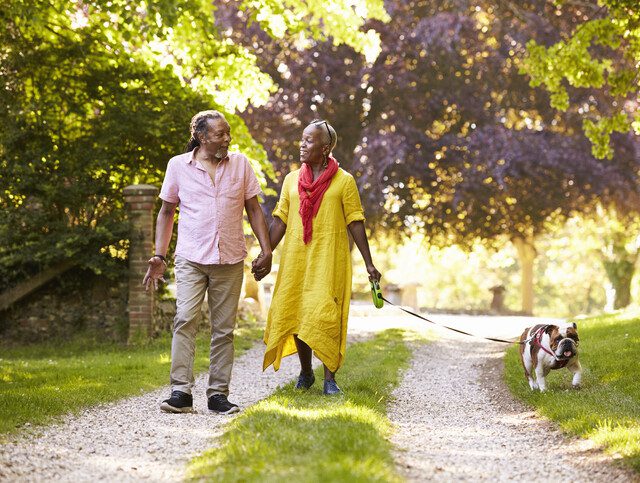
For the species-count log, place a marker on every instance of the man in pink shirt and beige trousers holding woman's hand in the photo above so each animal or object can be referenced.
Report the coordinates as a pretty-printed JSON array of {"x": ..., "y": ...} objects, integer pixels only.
[{"x": 212, "y": 186}]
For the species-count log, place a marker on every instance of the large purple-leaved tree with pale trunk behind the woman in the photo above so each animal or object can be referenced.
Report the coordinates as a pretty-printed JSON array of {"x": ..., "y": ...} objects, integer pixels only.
[{"x": 443, "y": 133}]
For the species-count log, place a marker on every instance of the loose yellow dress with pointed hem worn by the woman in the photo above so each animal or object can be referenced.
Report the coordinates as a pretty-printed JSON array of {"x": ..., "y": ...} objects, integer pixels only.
[{"x": 313, "y": 287}]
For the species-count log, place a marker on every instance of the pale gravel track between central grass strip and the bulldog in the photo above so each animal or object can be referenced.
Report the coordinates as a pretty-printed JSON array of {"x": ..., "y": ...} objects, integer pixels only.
[{"x": 456, "y": 421}]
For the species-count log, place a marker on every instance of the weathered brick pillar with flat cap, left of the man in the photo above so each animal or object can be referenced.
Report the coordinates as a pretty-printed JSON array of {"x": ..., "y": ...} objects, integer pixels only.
[{"x": 140, "y": 200}]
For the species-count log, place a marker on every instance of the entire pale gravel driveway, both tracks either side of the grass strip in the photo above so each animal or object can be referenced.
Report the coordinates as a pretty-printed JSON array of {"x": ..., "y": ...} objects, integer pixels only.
[{"x": 455, "y": 420}]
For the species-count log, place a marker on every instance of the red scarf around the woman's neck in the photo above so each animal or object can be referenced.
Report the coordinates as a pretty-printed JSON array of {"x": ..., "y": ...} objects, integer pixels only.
[{"x": 311, "y": 192}]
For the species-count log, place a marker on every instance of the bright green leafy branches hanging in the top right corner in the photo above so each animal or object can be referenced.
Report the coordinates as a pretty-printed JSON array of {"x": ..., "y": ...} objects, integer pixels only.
[{"x": 601, "y": 55}]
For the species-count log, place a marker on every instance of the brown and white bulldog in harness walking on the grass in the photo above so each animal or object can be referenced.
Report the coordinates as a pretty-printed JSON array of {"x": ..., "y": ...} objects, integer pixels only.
[{"x": 546, "y": 347}]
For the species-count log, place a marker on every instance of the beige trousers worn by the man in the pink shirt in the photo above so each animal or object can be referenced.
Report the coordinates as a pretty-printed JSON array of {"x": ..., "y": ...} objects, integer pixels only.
[{"x": 222, "y": 284}]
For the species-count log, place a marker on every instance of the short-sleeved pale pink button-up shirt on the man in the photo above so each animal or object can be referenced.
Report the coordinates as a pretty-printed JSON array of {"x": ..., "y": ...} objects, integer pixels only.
[{"x": 210, "y": 222}]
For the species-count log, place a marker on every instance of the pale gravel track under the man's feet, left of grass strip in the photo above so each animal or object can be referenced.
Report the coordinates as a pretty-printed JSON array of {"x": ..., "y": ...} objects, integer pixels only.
[{"x": 133, "y": 440}]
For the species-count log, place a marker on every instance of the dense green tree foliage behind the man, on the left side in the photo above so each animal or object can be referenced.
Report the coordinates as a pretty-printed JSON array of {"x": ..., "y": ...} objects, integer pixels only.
[{"x": 84, "y": 114}]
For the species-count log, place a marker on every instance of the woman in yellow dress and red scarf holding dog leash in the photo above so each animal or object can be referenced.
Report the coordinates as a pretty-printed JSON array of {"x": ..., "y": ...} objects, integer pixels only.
[{"x": 310, "y": 304}]
